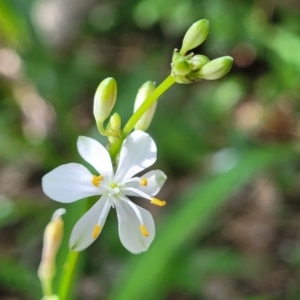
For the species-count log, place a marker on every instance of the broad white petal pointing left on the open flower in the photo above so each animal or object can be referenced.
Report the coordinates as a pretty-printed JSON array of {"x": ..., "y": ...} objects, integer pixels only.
[{"x": 68, "y": 183}]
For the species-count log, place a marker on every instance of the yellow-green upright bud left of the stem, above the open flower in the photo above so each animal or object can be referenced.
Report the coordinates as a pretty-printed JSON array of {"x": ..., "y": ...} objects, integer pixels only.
[{"x": 105, "y": 99}]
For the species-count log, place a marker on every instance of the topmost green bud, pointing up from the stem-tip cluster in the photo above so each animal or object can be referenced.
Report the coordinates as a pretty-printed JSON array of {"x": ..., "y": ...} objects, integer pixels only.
[{"x": 195, "y": 35}]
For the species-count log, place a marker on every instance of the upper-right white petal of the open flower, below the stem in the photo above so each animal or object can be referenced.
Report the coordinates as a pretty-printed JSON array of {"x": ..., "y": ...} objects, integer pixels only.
[{"x": 138, "y": 152}]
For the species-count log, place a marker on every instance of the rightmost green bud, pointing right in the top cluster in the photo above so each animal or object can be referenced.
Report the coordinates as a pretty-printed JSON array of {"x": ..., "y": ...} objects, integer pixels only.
[{"x": 216, "y": 68}]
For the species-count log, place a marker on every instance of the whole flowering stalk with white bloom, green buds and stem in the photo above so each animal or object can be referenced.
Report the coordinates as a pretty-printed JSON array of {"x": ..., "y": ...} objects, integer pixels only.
[{"x": 134, "y": 151}]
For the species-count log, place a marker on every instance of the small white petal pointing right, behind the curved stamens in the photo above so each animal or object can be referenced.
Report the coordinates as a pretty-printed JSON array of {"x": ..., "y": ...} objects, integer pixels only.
[{"x": 155, "y": 180}]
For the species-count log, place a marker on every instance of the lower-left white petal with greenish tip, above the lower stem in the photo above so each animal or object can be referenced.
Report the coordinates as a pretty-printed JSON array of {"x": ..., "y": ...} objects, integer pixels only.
[{"x": 82, "y": 233}]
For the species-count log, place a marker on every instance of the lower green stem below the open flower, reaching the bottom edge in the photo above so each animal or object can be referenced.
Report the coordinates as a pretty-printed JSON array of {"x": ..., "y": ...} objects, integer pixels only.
[{"x": 68, "y": 275}]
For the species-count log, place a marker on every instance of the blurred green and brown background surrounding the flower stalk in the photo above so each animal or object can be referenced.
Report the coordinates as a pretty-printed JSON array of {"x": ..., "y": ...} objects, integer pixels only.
[{"x": 231, "y": 229}]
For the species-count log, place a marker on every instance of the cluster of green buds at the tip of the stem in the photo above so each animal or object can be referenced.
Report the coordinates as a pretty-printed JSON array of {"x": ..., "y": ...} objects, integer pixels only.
[{"x": 190, "y": 68}]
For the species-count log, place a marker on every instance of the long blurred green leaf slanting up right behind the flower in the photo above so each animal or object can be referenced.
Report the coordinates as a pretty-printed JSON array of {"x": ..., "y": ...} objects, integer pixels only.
[{"x": 143, "y": 276}]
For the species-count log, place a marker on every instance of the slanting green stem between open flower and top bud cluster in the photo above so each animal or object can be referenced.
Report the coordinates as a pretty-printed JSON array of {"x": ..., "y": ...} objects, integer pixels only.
[{"x": 165, "y": 85}]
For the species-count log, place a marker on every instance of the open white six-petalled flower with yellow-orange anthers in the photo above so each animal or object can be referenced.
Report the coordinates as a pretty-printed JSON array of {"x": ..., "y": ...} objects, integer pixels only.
[{"x": 71, "y": 182}]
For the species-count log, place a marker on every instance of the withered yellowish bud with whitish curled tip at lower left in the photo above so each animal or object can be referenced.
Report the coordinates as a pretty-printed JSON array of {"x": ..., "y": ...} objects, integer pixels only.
[{"x": 52, "y": 238}]
